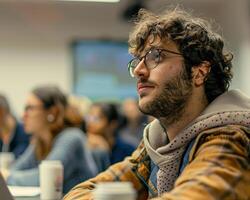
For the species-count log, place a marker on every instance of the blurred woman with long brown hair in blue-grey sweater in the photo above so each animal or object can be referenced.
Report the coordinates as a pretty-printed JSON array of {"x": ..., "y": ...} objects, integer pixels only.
[{"x": 55, "y": 136}]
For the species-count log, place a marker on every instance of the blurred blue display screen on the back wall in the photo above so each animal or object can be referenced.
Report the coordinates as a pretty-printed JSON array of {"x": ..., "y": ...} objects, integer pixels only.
[{"x": 100, "y": 70}]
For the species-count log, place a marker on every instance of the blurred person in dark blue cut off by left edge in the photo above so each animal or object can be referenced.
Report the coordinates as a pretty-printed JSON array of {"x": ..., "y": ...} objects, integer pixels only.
[{"x": 12, "y": 135}]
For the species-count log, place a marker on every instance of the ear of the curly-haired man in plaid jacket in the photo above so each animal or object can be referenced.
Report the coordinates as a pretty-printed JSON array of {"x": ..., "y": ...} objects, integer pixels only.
[{"x": 200, "y": 73}]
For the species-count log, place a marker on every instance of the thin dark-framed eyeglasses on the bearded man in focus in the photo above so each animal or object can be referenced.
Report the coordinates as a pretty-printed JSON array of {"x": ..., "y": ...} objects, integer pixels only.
[{"x": 151, "y": 59}]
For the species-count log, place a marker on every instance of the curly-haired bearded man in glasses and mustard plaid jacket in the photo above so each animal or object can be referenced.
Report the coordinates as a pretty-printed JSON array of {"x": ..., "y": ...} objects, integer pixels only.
[{"x": 199, "y": 145}]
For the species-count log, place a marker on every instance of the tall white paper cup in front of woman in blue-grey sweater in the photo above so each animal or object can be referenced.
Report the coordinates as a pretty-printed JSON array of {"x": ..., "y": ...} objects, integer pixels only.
[{"x": 51, "y": 179}]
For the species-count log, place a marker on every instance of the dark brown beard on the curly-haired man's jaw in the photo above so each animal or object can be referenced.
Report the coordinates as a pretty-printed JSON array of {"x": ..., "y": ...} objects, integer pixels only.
[{"x": 171, "y": 102}]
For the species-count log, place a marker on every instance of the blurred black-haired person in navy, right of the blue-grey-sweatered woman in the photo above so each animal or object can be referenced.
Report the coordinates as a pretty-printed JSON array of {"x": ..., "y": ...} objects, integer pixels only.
[{"x": 102, "y": 125}]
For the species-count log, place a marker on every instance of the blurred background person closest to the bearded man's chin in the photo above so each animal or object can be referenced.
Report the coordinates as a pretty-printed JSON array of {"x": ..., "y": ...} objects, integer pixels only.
[{"x": 134, "y": 122}]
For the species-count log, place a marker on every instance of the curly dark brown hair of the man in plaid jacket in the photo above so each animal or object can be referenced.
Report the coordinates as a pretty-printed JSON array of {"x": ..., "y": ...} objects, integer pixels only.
[{"x": 194, "y": 39}]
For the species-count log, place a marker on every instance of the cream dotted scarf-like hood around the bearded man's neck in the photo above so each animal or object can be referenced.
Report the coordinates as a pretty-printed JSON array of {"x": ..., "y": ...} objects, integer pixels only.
[{"x": 230, "y": 108}]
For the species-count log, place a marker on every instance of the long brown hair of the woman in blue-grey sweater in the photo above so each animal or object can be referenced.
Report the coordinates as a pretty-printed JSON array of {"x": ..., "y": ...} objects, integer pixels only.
[{"x": 52, "y": 96}]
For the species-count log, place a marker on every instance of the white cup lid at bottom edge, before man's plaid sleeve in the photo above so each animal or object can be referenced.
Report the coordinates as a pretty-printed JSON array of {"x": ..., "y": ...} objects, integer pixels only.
[{"x": 114, "y": 191}]
